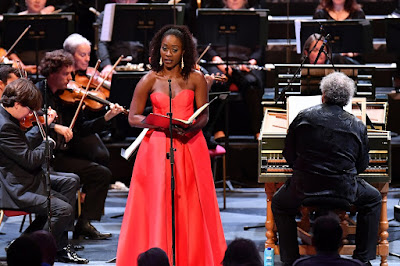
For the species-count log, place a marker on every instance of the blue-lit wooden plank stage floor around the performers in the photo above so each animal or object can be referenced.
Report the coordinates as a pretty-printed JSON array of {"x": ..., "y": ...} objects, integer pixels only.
[{"x": 245, "y": 207}]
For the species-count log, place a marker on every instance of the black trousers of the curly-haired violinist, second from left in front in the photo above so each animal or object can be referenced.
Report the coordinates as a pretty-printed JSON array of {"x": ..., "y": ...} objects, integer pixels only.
[{"x": 94, "y": 177}]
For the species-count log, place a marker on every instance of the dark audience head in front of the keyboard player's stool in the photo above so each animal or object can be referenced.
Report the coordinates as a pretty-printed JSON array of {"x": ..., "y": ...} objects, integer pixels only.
[{"x": 327, "y": 233}]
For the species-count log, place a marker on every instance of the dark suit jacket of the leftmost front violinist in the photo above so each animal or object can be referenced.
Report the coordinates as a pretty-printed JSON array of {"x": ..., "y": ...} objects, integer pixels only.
[{"x": 21, "y": 157}]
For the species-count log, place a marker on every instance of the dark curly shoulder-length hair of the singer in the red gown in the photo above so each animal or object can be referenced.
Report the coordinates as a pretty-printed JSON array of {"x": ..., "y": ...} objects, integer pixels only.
[{"x": 184, "y": 35}]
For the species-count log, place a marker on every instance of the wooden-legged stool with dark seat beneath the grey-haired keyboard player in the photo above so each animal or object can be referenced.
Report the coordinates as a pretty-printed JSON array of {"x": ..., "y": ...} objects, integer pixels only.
[{"x": 316, "y": 205}]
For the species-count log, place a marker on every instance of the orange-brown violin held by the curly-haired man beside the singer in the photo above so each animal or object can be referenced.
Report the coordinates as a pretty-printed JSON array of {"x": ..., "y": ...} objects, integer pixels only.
[{"x": 94, "y": 100}]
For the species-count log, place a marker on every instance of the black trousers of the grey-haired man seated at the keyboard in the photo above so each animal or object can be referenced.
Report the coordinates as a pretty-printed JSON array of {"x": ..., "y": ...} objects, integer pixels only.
[{"x": 285, "y": 206}]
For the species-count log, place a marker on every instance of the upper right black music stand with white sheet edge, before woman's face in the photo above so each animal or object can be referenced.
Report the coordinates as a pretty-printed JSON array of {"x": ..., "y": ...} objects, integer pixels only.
[{"x": 346, "y": 36}]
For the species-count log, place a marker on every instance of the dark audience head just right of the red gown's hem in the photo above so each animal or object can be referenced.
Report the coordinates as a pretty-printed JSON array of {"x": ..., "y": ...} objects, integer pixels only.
[{"x": 242, "y": 252}]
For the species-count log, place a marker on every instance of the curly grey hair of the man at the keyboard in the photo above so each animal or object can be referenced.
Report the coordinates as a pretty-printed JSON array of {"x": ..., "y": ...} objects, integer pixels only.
[{"x": 337, "y": 88}]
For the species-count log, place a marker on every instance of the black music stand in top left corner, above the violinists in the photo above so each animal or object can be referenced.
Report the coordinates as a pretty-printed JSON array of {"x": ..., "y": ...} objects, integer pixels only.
[{"x": 47, "y": 32}]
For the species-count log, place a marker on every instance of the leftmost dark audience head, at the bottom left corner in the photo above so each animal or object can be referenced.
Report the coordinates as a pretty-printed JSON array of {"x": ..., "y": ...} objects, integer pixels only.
[{"x": 24, "y": 251}]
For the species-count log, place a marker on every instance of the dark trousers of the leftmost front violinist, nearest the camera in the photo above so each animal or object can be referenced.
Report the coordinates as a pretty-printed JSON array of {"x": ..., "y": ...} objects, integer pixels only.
[{"x": 62, "y": 199}]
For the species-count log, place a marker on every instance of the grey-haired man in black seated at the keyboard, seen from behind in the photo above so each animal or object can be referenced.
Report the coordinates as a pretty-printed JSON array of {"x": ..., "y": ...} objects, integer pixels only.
[{"x": 327, "y": 147}]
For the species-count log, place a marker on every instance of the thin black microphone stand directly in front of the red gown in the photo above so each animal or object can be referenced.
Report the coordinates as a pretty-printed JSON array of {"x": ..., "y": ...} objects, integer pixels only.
[{"x": 171, "y": 158}]
